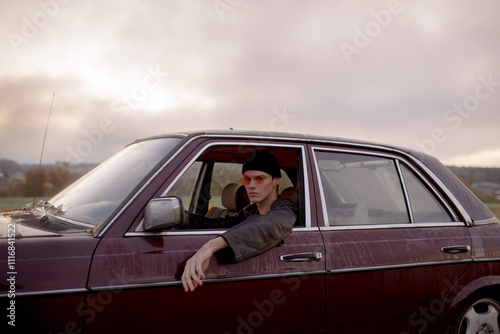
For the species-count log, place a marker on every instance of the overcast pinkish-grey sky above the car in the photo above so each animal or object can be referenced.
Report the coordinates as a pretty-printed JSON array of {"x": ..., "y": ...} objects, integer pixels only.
[{"x": 419, "y": 74}]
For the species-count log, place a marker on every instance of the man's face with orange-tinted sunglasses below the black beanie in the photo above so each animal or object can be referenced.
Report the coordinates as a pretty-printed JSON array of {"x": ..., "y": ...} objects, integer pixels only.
[{"x": 257, "y": 191}]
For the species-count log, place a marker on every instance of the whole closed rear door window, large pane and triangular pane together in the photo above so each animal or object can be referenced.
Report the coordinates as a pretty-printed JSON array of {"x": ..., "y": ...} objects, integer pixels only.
[{"x": 361, "y": 189}]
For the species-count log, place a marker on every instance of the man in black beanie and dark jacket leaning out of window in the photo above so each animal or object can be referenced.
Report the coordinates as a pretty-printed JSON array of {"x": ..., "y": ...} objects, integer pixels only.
[{"x": 254, "y": 230}]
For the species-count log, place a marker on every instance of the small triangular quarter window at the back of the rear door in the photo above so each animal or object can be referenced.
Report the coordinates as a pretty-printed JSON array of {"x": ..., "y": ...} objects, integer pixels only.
[{"x": 424, "y": 205}]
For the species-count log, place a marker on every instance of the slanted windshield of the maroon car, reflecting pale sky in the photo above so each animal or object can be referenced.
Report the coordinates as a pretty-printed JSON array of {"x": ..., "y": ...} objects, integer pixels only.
[{"x": 96, "y": 195}]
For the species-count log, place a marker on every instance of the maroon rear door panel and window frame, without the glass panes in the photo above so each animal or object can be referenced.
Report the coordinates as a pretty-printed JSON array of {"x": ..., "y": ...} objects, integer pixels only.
[{"x": 373, "y": 281}]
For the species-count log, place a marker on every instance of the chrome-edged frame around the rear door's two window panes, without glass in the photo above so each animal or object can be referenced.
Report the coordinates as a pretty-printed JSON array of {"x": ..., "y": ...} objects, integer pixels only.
[{"x": 398, "y": 160}]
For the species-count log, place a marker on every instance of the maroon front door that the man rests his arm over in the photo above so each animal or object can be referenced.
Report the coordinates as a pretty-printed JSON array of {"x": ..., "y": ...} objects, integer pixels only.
[{"x": 135, "y": 275}]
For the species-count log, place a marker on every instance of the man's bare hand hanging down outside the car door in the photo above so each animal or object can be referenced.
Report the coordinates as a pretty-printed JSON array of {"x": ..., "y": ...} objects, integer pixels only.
[{"x": 194, "y": 271}]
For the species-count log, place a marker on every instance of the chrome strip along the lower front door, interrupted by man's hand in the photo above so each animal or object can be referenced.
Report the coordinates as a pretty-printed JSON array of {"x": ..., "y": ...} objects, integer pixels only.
[{"x": 206, "y": 281}]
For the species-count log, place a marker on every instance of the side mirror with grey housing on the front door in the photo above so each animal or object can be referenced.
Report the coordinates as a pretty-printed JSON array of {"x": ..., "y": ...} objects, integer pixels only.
[{"x": 163, "y": 213}]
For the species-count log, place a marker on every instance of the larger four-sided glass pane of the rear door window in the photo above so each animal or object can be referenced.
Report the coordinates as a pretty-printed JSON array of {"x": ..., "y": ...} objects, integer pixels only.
[{"x": 361, "y": 189}]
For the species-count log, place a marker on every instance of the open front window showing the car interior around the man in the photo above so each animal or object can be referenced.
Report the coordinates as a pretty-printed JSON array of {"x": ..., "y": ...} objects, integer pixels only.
[{"x": 211, "y": 186}]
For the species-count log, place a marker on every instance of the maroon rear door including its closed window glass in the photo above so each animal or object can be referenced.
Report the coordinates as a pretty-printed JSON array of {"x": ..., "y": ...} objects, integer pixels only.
[{"x": 394, "y": 249}]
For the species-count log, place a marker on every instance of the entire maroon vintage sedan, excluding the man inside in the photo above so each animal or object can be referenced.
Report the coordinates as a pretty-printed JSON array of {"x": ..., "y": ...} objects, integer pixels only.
[{"x": 387, "y": 241}]
